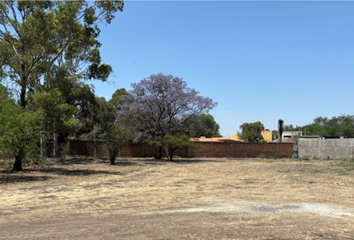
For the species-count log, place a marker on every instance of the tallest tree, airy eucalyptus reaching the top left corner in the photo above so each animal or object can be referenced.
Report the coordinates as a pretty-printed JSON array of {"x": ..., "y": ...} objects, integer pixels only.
[{"x": 45, "y": 42}]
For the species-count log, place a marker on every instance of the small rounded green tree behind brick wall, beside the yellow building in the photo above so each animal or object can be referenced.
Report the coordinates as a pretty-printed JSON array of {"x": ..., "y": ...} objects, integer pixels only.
[{"x": 251, "y": 132}]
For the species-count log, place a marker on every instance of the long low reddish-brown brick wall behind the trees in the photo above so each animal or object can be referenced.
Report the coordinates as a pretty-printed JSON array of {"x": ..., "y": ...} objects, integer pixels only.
[{"x": 203, "y": 149}]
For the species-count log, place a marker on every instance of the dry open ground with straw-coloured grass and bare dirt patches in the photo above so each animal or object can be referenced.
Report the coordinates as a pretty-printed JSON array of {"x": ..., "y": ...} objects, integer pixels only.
[{"x": 85, "y": 198}]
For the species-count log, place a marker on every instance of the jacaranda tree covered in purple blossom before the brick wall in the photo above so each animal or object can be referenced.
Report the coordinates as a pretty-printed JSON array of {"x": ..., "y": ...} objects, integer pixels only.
[{"x": 164, "y": 108}]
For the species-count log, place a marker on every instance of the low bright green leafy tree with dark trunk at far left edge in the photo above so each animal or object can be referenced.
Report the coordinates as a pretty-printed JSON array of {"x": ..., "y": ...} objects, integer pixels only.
[{"x": 19, "y": 131}]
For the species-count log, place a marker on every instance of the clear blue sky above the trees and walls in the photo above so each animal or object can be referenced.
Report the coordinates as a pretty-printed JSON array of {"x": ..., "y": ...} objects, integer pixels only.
[{"x": 261, "y": 61}]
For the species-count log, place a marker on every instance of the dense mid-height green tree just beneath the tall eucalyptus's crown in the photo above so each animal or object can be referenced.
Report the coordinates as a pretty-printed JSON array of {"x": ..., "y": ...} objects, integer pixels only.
[{"x": 66, "y": 110}]
